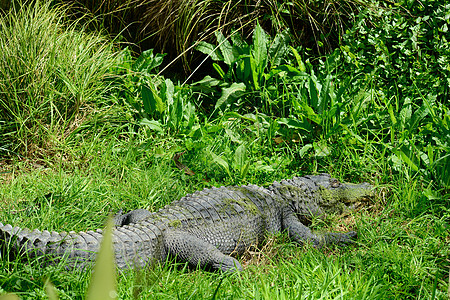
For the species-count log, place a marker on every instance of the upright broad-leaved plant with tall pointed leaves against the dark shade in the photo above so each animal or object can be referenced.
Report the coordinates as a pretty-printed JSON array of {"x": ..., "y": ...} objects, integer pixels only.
[{"x": 249, "y": 66}]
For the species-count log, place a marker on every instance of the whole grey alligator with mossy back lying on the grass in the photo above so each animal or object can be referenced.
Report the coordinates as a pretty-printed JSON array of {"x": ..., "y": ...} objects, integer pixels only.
[{"x": 208, "y": 228}]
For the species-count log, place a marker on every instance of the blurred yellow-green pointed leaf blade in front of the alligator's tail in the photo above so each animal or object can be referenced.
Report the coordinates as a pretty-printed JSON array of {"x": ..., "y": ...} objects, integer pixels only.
[{"x": 103, "y": 280}]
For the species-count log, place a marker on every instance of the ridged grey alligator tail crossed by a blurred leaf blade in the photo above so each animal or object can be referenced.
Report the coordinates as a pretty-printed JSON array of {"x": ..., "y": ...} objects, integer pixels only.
[{"x": 135, "y": 245}]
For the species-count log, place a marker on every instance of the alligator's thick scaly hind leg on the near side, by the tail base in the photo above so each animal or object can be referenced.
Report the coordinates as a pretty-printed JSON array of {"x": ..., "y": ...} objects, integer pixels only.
[{"x": 187, "y": 247}]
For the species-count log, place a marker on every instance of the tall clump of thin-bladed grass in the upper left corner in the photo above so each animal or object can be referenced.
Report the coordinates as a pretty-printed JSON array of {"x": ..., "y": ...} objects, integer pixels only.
[{"x": 52, "y": 75}]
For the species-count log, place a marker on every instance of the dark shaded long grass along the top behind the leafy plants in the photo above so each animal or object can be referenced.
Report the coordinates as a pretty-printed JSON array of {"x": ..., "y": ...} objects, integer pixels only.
[{"x": 176, "y": 26}]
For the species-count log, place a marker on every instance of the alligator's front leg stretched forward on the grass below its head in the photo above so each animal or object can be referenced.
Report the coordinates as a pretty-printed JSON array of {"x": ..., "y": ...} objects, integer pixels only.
[{"x": 301, "y": 233}]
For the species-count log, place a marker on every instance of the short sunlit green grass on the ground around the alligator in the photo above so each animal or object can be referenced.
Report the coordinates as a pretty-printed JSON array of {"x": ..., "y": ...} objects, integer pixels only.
[{"x": 392, "y": 247}]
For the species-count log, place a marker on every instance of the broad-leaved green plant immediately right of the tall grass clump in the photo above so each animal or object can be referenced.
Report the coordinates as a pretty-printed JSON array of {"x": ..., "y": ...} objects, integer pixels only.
[{"x": 158, "y": 102}]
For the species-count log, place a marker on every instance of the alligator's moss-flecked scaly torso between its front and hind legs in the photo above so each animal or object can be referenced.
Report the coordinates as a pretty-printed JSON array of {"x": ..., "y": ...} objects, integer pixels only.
[{"x": 230, "y": 218}]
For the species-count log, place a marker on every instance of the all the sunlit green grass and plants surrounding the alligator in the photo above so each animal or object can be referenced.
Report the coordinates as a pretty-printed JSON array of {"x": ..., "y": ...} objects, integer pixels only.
[{"x": 89, "y": 127}]
